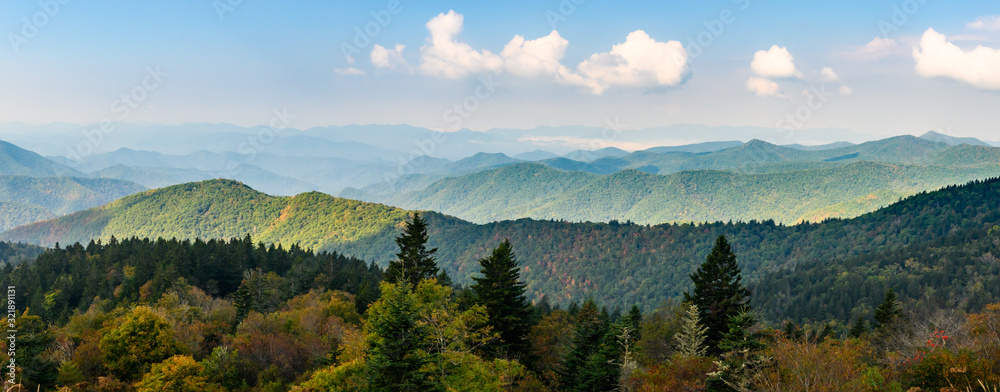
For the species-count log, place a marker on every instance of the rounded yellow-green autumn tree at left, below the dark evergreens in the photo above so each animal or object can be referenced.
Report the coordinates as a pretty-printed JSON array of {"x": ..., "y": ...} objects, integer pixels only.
[{"x": 139, "y": 338}]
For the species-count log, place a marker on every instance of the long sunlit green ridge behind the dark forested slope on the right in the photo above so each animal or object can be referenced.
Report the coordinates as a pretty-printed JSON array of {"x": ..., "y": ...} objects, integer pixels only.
[{"x": 534, "y": 191}]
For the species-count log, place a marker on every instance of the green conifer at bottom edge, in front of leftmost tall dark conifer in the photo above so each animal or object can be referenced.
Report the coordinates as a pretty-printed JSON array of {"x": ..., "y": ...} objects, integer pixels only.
[{"x": 395, "y": 359}]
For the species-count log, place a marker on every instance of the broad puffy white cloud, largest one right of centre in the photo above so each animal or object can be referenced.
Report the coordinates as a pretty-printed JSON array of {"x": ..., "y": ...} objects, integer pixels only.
[{"x": 639, "y": 62}]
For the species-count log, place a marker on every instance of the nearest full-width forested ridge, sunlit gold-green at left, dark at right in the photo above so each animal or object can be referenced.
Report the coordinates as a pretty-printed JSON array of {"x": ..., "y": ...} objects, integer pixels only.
[{"x": 618, "y": 264}]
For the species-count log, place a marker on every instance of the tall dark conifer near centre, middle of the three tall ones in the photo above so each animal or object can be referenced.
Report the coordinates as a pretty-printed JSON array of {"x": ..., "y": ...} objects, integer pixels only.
[{"x": 502, "y": 293}]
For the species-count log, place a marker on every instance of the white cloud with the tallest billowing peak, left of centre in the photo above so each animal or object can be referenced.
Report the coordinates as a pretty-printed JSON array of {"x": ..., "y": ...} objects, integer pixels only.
[{"x": 445, "y": 57}]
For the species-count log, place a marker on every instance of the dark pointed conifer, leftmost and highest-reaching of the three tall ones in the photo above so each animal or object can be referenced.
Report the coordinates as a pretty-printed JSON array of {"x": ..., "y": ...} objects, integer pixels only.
[{"x": 414, "y": 262}]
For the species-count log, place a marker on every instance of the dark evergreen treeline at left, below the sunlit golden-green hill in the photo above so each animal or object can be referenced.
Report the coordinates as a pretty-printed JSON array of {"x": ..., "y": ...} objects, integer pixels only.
[{"x": 67, "y": 280}]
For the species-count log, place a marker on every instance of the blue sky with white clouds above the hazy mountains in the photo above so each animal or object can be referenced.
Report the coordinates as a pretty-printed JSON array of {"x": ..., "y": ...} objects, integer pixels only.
[{"x": 877, "y": 67}]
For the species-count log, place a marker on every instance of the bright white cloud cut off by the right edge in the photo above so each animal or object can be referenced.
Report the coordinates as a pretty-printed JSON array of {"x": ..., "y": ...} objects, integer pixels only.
[{"x": 936, "y": 57}]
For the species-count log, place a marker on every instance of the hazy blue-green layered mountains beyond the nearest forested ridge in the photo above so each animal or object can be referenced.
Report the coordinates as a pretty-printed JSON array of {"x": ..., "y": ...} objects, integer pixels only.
[{"x": 726, "y": 180}]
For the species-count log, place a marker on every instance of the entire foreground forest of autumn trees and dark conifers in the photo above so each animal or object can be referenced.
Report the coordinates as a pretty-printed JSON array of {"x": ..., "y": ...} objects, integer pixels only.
[{"x": 168, "y": 315}]
